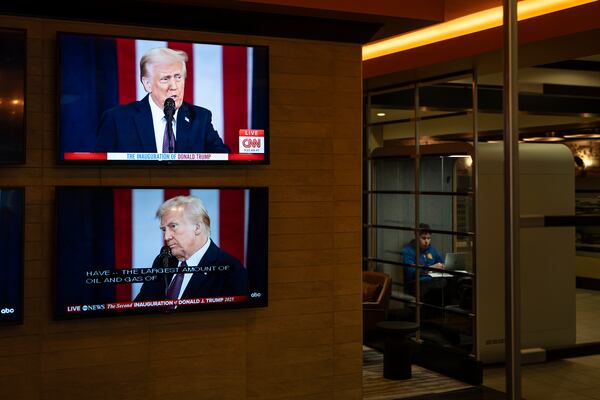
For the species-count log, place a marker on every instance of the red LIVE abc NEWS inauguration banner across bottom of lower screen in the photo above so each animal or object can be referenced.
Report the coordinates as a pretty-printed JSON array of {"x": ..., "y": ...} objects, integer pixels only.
[{"x": 132, "y": 305}]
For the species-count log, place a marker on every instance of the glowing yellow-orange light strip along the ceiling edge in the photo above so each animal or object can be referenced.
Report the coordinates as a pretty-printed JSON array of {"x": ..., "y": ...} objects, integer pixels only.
[{"x": 471, "y": 23}]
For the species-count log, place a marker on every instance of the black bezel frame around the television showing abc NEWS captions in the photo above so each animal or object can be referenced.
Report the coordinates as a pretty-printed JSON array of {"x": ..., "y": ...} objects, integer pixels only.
[{"x": 264, "y": 302}]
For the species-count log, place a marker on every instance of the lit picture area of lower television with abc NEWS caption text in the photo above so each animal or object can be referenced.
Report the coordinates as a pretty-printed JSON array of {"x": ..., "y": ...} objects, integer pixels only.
[{"x": 159, "y": 250}]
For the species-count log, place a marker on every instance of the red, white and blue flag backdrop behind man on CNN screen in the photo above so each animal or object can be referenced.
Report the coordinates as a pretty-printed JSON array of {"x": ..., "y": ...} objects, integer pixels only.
[{"x": 97, "y": 73}]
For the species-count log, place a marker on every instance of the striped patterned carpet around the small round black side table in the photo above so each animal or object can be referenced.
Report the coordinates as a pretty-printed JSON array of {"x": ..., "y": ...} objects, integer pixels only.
[{"x": 423, "y": 381}]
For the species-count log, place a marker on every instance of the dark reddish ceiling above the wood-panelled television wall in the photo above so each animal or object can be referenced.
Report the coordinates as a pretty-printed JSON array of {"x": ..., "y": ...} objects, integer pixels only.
[{"x": 352, "y": 21}]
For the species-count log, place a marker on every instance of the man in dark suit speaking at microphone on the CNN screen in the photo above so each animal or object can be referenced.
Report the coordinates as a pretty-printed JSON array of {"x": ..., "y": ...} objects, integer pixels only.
[{"x": 141, "y": 126}]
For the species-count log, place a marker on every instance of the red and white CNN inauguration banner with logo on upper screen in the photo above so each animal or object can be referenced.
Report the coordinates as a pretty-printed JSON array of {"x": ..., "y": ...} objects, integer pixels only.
[{"x": 251, "y": 148}]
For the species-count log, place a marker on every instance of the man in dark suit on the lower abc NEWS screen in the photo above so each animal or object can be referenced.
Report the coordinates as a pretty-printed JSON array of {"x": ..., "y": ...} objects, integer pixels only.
[{"x": 186, "y": 229}]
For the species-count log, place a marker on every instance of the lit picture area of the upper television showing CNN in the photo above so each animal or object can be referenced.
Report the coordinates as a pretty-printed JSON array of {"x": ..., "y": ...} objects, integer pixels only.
[{"x": 129, "y": 101}]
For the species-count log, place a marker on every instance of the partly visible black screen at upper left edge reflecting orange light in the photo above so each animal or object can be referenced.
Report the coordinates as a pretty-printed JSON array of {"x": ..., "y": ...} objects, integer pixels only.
[{"x": 12, "y": 96}]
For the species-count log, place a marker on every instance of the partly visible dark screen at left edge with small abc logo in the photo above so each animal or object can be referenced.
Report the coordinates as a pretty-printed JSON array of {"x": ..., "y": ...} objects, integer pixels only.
[{"x": 11, "y": 246}]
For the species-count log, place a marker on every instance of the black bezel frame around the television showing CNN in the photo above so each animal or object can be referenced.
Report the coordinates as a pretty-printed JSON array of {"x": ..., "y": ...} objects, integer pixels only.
[{"x": 196, "y": 163}]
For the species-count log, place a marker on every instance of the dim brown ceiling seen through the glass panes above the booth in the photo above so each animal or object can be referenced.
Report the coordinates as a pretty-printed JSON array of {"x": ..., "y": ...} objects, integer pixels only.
[{"x": 557, "y": 100}]
